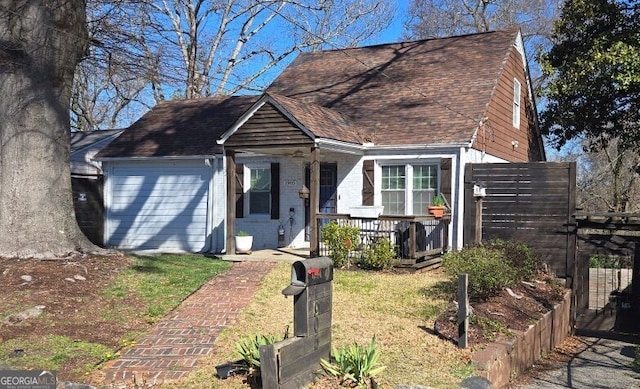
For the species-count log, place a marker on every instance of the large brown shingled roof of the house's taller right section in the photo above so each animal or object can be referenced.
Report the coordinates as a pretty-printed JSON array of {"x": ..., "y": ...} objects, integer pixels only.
[{"x": 423, "y": 92}]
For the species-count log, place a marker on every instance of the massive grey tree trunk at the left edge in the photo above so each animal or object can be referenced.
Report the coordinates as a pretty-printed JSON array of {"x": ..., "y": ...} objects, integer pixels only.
[{"x": 41, "y": 42}]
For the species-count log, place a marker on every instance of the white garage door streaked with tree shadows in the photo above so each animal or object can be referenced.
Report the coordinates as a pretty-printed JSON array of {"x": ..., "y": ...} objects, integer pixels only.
[{"x": 158, "y": 206}]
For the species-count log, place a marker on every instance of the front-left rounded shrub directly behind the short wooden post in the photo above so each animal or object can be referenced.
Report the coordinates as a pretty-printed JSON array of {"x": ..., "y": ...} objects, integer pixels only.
[{"x": 488, "y": 269}]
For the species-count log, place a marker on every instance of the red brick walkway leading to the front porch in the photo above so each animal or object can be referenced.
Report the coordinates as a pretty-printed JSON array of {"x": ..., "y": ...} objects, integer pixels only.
[{"x": 173, "y": 346}]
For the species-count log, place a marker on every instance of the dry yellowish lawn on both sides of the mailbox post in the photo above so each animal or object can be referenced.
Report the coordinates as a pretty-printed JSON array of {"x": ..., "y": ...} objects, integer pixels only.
[{"x": 396, "y": 308}]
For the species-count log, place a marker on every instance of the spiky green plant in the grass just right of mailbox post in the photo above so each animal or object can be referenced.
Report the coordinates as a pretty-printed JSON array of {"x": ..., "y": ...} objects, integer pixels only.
[{"x": 354, "y": 364}]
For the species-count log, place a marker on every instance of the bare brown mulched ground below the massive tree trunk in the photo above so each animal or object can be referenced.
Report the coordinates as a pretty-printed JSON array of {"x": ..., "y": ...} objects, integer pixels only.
[{"x": 75, "y": 306}]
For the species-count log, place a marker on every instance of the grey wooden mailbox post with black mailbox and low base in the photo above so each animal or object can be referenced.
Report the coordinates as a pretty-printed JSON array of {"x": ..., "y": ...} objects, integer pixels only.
[{"x": 293, "y": 362}]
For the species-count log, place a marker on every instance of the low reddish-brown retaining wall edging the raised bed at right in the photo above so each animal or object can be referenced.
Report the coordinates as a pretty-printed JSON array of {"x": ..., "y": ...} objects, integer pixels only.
[{"x": 505, "y": 359}]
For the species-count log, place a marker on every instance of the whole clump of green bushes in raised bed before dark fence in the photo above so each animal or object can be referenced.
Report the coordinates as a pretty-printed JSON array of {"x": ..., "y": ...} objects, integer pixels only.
[{"x": 492, "y": 267}]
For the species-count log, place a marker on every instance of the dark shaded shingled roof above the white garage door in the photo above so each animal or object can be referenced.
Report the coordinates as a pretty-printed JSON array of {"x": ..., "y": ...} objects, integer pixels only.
[{"x": 180, "y": 128}]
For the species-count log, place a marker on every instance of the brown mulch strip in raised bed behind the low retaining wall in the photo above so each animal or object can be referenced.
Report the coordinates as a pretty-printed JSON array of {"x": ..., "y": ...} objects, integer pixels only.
[{"x": 500, "y": 314}]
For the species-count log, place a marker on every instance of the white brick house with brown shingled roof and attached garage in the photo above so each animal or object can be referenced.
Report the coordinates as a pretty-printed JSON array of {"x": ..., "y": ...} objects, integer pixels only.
[{"x": 387, "y": 125}]
